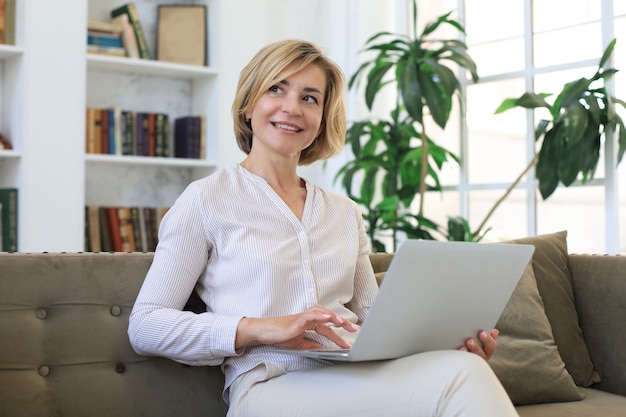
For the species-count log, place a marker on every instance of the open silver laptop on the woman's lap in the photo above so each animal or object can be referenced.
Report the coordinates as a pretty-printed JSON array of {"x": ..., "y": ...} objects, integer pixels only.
[{"x": 434, "y": 296}]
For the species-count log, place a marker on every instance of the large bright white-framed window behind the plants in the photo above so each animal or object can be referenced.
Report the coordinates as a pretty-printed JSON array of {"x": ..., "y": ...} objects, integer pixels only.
[{"x": 533, "y": 45}]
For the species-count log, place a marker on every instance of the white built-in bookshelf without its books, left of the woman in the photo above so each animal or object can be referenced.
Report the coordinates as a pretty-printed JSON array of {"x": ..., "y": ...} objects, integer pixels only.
[{"x": 45, "y": 90}]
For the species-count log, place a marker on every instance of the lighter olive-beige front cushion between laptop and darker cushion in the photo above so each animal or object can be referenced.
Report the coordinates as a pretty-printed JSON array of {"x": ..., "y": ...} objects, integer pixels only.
[{"x": 527, "y": 361}]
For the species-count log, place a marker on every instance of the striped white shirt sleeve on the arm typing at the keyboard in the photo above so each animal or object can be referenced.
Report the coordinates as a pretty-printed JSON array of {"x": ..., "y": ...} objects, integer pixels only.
[{"x": 158, "y": 325}]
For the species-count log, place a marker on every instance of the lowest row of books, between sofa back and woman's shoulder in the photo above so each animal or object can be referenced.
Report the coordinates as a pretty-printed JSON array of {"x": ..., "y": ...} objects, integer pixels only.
[{"x": 122, "y": 229}]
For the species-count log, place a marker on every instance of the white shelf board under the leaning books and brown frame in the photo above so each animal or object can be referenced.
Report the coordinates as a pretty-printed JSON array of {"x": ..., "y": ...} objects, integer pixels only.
[{"x": 147, "y": 67}]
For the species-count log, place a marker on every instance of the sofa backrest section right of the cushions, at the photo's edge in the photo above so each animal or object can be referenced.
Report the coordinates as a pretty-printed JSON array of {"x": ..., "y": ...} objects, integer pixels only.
[{"x": 599, "y": 284}]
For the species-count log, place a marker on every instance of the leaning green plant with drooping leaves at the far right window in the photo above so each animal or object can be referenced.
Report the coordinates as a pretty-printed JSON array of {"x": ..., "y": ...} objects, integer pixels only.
[{"x": 581, "y": 115}]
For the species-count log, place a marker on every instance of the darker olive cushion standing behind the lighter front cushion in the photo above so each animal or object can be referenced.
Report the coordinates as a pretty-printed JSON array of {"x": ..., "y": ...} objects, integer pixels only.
[{"x": 555, "y": 287}]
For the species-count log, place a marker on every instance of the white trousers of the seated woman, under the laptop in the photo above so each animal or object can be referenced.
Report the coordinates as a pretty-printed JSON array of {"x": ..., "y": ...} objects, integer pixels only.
[{"x": 442, "y": 383}]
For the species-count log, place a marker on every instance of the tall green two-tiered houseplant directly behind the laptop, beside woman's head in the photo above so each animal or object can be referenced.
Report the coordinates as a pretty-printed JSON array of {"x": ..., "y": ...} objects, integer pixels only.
[{"x": 395, "y": 159}]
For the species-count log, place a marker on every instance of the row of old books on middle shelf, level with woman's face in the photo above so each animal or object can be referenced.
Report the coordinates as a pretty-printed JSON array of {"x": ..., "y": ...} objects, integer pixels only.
[{"x": 120, "y": 132}]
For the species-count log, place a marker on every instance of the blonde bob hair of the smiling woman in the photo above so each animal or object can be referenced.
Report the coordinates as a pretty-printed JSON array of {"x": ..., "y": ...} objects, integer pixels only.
[{"x": 262, "y": 72}]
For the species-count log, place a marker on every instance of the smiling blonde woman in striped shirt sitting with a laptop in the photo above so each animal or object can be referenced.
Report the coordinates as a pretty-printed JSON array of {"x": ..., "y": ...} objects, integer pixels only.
[{"x": 280, "y": 261}]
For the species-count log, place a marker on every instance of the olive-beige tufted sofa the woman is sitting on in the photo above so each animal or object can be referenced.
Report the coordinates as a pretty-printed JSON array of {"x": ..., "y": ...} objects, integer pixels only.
[{"x": 64, "y": 350}]
